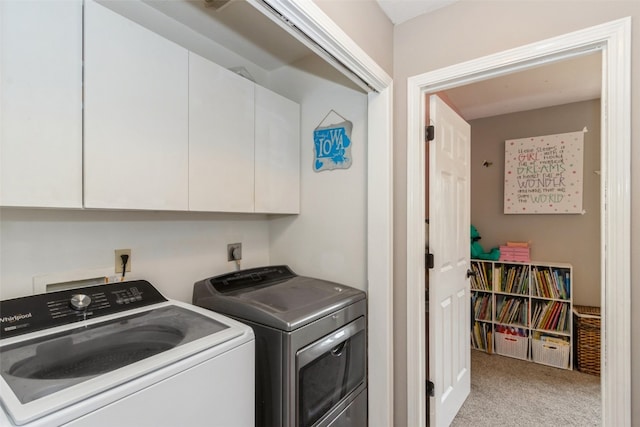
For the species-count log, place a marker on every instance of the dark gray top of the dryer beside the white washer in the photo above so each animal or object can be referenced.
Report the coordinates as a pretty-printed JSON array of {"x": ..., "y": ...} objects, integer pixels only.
[{"x": 283, "y": 300}]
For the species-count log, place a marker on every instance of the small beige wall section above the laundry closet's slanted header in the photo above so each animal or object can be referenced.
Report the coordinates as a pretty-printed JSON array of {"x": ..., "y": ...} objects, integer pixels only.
[{"x": 365, "y": 22}]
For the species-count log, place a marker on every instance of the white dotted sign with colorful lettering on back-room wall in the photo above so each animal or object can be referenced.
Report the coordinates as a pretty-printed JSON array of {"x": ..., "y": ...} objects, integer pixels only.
[{"x": 544, "y": 174}]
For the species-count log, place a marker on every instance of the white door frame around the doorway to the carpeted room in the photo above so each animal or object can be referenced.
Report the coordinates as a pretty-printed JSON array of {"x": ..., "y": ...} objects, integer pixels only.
[{"x": 613, "y": 39}]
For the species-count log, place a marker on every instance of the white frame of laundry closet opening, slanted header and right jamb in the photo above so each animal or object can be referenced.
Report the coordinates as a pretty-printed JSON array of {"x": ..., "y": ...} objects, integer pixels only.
[{"x": 311, "y": 26}]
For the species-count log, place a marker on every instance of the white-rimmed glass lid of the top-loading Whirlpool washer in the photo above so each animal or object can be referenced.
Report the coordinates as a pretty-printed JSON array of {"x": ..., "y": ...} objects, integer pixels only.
[{"x": 46, "y": 371}]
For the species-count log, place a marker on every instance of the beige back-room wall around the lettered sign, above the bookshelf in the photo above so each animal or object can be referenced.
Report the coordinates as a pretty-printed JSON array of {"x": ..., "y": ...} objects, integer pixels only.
[{"x": 558, "y": 238}]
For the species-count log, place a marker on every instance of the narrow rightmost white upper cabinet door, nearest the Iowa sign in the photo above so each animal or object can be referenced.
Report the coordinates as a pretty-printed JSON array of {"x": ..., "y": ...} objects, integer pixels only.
[{"x": 277, "y": 163}]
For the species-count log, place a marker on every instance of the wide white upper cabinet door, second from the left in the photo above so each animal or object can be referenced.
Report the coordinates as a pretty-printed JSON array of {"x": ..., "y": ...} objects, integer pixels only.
[{"x": 136, "y": 117}]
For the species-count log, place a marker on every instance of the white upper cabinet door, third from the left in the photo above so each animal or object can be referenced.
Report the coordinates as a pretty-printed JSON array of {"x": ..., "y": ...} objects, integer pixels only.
[{"x": 221, "y": 132}]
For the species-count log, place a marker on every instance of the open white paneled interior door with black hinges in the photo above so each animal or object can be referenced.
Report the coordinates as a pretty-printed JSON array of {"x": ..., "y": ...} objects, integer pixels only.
[{"x": 449, "y": 240}]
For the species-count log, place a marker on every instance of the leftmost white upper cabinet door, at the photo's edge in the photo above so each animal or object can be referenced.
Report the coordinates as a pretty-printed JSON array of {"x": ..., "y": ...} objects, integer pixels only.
[{"x": 41, "y": 103}]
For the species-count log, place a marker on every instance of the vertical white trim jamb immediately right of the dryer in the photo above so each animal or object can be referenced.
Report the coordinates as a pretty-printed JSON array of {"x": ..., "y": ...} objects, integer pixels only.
[{"x": 380, "y": 257}]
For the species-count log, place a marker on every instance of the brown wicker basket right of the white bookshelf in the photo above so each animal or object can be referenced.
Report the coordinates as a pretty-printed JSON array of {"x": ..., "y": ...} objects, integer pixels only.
[{"x": 587, "y": 334}]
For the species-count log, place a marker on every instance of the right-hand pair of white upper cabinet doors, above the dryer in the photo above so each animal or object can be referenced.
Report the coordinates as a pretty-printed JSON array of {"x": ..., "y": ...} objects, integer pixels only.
[{"x": 239, "y": 162}]
